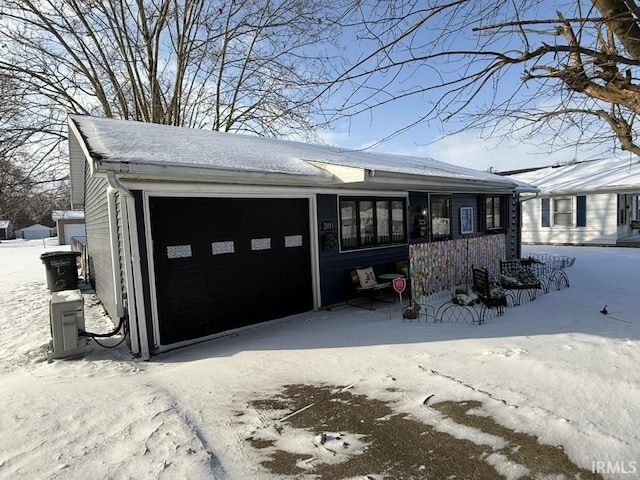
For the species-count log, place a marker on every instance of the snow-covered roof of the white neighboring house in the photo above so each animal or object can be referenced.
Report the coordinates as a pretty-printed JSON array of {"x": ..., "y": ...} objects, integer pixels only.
[{"x": 594, "y": 175}]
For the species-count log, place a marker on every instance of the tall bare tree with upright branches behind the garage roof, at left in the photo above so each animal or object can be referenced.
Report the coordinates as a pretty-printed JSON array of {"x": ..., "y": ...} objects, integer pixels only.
[{"x": 239, "y": 65}]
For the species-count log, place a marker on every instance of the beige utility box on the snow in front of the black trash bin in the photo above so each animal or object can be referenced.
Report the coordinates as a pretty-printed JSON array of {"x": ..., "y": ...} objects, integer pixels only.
[{"x": 67, "y": 320}]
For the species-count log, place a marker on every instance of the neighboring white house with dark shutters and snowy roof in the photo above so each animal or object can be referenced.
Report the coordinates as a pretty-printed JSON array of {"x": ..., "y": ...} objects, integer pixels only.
[{"x": 581, "y": 203}]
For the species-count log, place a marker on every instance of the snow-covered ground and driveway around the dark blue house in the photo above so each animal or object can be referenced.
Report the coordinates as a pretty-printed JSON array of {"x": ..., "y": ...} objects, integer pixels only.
[{"x": 556, "y": 368}]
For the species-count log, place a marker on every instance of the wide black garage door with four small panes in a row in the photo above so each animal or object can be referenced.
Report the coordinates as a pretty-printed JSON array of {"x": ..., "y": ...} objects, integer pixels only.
[{"x": 223, "y": 263}]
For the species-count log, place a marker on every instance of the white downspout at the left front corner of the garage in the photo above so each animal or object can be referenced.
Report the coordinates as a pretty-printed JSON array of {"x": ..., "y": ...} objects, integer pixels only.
[{"x": 138, "y": 326}]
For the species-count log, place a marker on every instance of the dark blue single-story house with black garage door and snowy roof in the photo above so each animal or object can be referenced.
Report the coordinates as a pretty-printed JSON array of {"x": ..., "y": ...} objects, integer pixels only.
[{"x": 191, "y": 233}]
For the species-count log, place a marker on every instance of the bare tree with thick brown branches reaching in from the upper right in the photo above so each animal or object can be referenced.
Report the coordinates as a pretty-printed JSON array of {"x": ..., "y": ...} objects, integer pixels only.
[{"x": 555, "y": 68}]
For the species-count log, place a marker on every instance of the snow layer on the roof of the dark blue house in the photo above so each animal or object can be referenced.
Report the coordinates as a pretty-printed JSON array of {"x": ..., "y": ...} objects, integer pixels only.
[{"x": 151, "y": 144}]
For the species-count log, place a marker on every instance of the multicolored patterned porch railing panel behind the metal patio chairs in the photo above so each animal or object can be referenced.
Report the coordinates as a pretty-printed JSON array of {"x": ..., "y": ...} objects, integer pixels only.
[{"x": 438, "y": 267}]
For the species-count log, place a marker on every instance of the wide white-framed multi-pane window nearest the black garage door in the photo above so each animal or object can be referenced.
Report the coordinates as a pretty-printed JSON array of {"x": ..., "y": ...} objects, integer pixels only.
[{"x": 371, "y": 222}]
